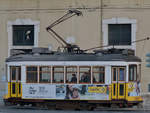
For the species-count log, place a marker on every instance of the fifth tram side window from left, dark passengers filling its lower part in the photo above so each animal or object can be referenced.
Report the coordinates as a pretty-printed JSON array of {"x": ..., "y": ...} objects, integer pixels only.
[{"x": 85, "y": 74}]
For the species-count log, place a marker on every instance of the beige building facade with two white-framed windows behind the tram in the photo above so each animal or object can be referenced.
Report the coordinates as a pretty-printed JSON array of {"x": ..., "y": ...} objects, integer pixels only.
[{"x": 104, "y": 22}]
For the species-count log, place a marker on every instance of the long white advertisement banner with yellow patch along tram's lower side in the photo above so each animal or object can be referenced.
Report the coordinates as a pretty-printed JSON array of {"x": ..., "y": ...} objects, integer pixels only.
[{"x": 71, "y": 92}]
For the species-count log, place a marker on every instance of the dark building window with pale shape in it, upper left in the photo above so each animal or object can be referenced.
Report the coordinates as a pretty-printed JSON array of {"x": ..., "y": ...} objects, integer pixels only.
[{"x": 23, "y": 35}]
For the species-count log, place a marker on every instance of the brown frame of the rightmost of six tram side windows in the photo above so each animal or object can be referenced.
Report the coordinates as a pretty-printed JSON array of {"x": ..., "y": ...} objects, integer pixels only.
[{"x": 98, "y": 72}]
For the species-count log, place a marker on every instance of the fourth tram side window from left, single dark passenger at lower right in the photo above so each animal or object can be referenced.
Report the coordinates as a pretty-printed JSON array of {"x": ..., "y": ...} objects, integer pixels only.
[{"x": 71, "y": 74}]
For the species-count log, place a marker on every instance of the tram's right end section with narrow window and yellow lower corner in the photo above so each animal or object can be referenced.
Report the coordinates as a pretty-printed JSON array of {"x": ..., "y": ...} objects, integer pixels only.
[{"x": 133, "y": 85}]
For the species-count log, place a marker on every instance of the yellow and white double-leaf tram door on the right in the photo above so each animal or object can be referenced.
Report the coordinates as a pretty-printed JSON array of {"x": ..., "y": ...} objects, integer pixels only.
[{"x": 118, "y": 82}]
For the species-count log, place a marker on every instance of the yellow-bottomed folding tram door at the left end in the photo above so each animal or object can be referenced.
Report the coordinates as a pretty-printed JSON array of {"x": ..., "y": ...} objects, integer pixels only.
[{"x": 15, "y": 81}]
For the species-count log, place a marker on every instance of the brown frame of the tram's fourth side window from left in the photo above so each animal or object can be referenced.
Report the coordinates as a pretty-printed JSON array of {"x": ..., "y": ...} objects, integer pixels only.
[{"x": 72, "y": 73}]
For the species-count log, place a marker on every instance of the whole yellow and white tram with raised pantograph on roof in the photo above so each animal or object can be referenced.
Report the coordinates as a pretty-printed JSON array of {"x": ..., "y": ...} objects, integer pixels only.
[{"x": 73, "y": 77}]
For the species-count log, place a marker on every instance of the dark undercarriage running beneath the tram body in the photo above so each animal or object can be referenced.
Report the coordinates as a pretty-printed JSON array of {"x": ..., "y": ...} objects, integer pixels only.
[{"x": 72, "y": 104}]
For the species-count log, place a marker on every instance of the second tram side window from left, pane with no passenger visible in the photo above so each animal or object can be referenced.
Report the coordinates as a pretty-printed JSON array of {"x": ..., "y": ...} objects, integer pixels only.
[{"x": 45, "y": 74}]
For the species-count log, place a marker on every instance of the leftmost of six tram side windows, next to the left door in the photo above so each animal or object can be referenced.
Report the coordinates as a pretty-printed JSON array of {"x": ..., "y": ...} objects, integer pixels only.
[{"x": 32, "y": 74}]
